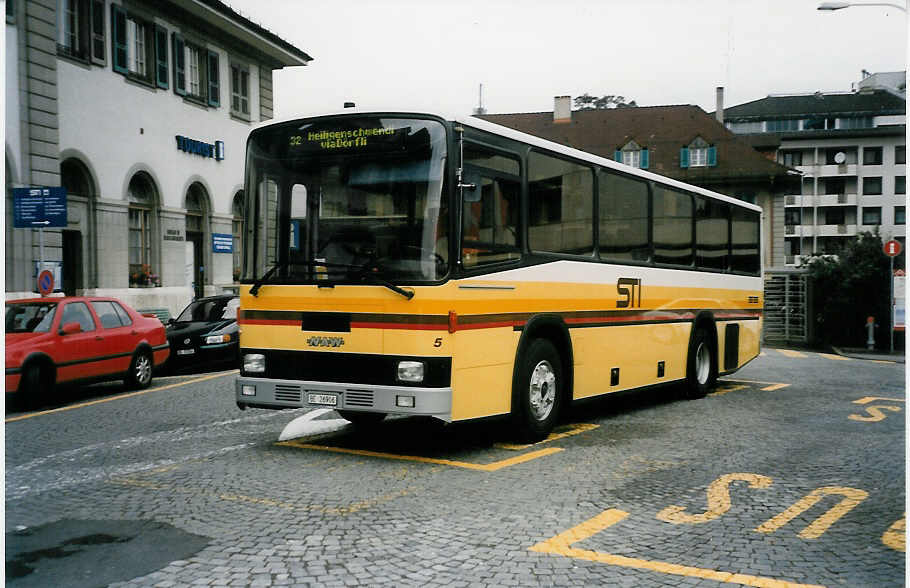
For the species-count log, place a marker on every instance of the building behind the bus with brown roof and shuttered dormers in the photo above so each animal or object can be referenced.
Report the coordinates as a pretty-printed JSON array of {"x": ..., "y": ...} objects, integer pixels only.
[{"x": 681, "y": 142}]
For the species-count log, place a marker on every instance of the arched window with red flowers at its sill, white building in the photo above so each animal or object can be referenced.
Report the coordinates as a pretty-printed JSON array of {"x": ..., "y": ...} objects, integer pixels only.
[{"x": 142, "y": 239}]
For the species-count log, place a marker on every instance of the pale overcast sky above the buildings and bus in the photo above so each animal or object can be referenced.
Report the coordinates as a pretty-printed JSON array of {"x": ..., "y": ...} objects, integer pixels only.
[{"x": 433, "y": 54}]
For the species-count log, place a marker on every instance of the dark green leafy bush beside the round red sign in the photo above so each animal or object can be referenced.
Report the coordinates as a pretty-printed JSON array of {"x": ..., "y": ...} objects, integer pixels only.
[{"x": 850, "y": 287}]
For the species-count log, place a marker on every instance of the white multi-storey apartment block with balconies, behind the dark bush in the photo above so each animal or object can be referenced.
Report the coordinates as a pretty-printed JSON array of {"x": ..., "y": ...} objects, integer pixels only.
[{"x": 850, "y": 148}]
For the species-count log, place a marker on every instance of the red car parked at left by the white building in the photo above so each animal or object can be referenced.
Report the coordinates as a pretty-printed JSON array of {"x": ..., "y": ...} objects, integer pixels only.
[{"x": 53, "y": 341}]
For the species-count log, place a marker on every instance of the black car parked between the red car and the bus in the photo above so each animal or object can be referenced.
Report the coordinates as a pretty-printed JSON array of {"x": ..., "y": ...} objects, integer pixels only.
[{"x": 205, "y": 333}]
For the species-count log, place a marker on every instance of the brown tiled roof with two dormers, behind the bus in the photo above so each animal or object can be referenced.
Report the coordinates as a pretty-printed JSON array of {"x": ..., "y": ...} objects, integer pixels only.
[{"x": 663, "y": 130}]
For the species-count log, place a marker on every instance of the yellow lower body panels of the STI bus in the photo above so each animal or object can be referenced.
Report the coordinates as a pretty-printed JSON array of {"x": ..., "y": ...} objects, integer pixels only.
[{"x": 489, "y": 327}]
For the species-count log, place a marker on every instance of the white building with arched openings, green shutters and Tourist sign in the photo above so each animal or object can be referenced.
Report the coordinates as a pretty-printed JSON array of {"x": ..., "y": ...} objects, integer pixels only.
[{"x": 140, "y": 111}]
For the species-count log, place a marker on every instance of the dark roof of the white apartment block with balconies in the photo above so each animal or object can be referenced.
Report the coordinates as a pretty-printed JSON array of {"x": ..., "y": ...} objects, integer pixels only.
[{"x": 865, "y": 103}]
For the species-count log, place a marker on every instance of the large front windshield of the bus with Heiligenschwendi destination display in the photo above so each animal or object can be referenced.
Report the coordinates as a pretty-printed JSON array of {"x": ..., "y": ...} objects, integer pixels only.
[{"x": 347, "y": 199}]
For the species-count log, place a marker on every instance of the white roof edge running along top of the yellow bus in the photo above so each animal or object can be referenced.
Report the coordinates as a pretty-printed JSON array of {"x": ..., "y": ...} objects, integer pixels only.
[{"x": 487, "y": 126}]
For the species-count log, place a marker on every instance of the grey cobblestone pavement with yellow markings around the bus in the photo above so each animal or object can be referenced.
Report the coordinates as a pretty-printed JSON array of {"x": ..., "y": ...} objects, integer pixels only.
[{"x": 791, "y": 473}]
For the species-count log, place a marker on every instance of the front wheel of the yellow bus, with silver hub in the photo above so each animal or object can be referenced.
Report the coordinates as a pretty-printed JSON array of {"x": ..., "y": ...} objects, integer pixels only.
[{"x": 539, "y": 390}]
